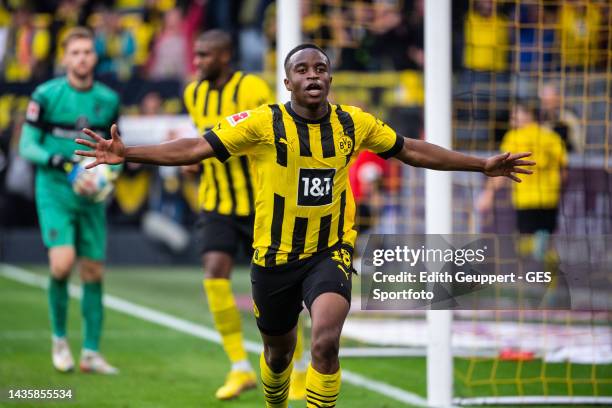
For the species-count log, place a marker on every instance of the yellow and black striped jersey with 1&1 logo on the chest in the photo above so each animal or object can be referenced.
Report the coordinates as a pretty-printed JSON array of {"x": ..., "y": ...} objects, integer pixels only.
[{"x": 303, "y": 199}]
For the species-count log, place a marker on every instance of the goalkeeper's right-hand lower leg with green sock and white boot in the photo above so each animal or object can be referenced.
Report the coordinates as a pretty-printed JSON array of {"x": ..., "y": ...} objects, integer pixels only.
[{"x": 93, "y": 315}]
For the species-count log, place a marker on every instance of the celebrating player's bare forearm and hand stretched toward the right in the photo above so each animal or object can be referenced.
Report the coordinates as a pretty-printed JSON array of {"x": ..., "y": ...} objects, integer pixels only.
[{"x": 419, "y": 153}]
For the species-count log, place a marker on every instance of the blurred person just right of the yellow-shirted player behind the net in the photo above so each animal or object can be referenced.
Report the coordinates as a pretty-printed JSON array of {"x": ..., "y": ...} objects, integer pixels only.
[{"x": 561, "y": 119}]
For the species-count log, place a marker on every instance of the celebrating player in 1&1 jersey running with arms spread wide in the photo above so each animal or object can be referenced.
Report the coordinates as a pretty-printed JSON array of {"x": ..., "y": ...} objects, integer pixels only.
[{"x": 304, "y": 215}]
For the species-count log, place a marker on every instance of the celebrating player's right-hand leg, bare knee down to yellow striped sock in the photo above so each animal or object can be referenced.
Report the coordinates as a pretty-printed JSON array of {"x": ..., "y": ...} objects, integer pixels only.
[{"x": 328, "y": 312}]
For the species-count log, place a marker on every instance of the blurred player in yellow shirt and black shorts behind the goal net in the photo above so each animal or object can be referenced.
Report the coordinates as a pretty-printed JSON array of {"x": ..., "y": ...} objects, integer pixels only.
[{"x": 536, "y": 201}]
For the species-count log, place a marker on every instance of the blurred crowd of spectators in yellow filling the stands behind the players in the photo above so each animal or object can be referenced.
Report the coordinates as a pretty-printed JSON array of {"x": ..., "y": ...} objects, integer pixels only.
[{"x": 502, "y": 51}]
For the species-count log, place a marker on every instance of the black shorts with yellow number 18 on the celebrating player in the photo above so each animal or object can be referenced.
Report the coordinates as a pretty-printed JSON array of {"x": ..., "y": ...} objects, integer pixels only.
[{"x": 278, "y": 291}]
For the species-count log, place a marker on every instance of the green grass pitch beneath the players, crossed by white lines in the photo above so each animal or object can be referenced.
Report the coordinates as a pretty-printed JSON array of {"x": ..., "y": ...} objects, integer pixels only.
[{"x": 161, "y": 367}]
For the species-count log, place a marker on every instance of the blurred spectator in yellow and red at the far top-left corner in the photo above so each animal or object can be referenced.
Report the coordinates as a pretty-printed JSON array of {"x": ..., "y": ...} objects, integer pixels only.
[{"x": 27, "y": 52}]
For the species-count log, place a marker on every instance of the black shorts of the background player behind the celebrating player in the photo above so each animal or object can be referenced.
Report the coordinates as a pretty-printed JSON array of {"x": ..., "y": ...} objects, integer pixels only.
[{"x": 225, "y": 233}]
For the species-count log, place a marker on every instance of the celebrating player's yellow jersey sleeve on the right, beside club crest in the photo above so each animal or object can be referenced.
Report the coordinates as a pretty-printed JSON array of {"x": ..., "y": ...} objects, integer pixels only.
[{"x": 378, "y": 136}]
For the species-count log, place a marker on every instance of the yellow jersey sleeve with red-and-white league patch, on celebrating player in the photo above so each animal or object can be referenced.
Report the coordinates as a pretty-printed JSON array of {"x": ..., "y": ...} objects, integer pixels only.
[{"x": 236, "y": 135}]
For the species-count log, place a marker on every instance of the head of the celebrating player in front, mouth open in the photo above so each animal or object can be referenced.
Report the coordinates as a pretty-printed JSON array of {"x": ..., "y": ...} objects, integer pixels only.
[{"x": 308, "y": 77}]
